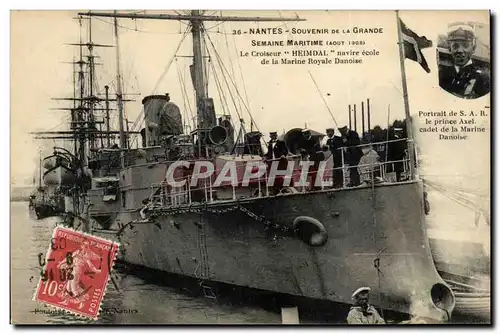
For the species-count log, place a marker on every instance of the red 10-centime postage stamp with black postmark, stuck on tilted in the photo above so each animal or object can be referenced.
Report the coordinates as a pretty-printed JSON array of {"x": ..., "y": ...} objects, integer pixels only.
[{"x": 75, "y": 272}]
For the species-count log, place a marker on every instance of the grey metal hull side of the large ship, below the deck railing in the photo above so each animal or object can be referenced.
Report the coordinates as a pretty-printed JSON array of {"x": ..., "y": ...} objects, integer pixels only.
[{"x": 376, "y": 238}]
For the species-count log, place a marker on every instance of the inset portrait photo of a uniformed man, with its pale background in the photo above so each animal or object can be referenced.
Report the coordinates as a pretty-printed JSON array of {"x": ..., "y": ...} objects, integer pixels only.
[{"x": 463, "y": 57}]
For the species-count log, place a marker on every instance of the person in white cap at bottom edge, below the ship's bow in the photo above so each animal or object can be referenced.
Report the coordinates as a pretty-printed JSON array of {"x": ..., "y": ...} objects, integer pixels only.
[{"x": 362, "y": 312}]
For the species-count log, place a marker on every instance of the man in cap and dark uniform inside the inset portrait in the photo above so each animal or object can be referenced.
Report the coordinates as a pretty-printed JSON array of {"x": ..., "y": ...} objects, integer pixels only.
[{"x": 465, "y": 79}]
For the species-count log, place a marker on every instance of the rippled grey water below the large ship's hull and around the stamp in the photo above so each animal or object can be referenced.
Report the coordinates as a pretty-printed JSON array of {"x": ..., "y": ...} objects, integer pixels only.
[{"x": 137, "y": 302}]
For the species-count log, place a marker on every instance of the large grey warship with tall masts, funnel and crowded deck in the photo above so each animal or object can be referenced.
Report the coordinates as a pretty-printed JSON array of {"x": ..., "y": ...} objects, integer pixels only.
[{"x": 321, "y": 243}]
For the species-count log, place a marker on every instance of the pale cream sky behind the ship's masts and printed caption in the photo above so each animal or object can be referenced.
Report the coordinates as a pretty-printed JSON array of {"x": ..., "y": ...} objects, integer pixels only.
[{"x": 280, "y": 97}]
